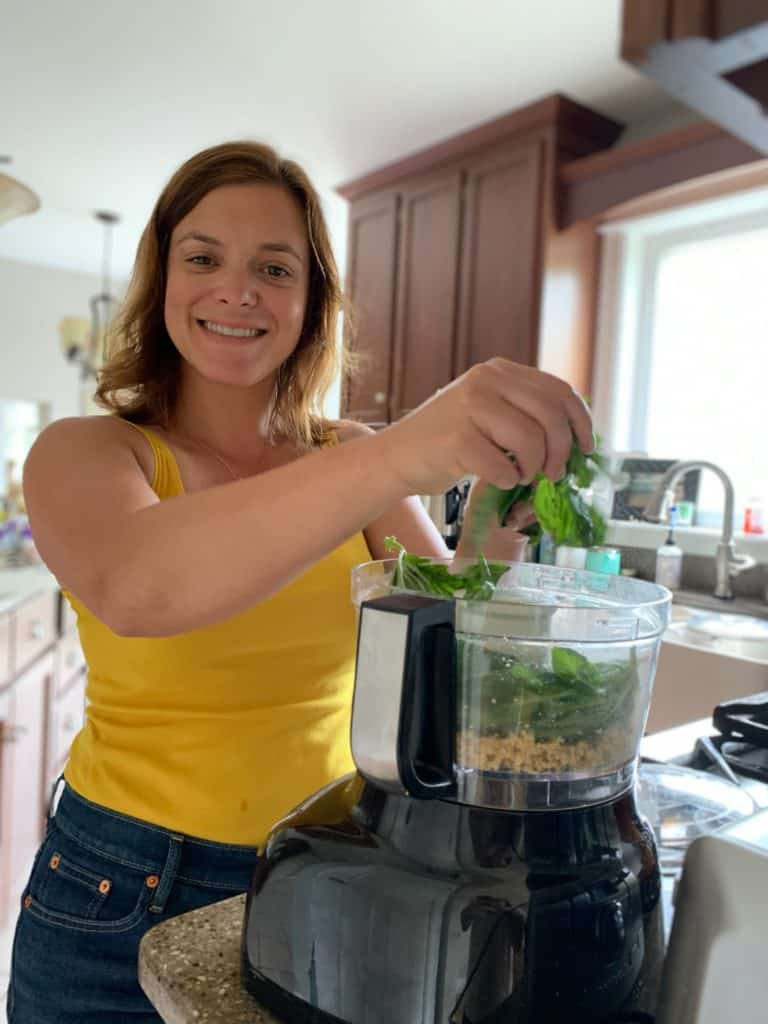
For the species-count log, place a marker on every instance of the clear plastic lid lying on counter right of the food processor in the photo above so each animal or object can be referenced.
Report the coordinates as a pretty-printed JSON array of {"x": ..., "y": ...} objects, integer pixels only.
[{"x": 682, "y": 804}]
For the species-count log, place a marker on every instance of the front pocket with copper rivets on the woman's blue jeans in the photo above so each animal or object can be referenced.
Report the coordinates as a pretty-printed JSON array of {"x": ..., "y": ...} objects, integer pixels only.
[{"x": 76, "y": 887}]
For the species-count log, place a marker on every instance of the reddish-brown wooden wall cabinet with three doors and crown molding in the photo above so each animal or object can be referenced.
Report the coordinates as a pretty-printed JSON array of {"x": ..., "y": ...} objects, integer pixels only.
[{"x": 449, "y": 253}]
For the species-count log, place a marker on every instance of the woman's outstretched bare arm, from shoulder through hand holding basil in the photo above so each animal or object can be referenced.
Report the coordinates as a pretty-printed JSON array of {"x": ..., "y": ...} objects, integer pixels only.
[{"x": 153, "y": 569}]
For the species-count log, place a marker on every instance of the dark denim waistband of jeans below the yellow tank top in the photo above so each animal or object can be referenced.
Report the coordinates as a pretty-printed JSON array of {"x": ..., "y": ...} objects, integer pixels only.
[{"x": 152, "y": 849}]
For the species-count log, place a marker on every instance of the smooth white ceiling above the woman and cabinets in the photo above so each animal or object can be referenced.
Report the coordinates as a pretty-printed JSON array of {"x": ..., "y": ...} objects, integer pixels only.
[{"x": 103, "y": 100}]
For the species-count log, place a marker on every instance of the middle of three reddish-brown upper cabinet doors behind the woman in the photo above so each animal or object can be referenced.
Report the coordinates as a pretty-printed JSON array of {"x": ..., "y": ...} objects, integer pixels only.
[{"x": 428, "y": 282}]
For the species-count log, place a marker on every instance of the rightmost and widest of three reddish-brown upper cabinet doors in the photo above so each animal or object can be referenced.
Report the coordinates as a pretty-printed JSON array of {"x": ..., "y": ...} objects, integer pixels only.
[{"x": 501, "y": 258}]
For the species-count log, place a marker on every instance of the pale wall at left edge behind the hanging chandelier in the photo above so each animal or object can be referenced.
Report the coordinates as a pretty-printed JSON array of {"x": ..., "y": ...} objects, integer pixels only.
[{"x": 33, "y": 301}]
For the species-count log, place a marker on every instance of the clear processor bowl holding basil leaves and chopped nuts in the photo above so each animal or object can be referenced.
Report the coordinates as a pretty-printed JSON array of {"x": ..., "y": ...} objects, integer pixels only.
[{"x": 554, "y": 682}]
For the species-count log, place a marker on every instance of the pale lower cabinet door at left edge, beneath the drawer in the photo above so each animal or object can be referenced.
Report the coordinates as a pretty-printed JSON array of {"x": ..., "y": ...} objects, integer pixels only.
[{"x": 22, "y": 788}]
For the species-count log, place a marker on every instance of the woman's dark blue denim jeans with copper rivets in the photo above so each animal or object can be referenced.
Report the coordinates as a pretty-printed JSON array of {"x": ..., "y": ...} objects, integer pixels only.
[{"x": 99, "y": 883}]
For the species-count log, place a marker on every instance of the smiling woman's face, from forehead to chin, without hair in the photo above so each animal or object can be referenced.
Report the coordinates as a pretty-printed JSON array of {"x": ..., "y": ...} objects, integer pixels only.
[{"x": 238, "y": 278}]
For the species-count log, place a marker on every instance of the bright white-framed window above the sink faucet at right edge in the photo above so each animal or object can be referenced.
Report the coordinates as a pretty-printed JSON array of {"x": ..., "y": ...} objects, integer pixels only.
[{"x": 684, "y": 344}]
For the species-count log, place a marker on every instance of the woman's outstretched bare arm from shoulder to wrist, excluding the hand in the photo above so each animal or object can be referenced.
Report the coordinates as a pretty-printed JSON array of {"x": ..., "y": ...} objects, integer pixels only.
[{"x": 148, "y": 568}]
